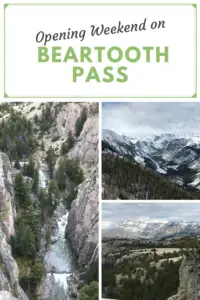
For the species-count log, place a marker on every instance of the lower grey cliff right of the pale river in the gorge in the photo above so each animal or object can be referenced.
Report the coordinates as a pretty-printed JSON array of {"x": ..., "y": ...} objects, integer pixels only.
[{"x": 82, "y": 228}]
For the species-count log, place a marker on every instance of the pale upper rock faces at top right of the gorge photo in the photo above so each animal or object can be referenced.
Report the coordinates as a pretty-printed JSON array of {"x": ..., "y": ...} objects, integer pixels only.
[{"x": 86, "y": 147}]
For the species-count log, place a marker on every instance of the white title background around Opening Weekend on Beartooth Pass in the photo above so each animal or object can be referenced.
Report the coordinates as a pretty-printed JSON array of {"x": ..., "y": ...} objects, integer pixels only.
[{"x": 28, "y": 78}]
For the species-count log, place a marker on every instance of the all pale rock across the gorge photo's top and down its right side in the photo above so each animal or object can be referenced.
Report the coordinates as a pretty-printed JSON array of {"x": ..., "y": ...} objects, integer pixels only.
[{"x": 82, "y": 229}]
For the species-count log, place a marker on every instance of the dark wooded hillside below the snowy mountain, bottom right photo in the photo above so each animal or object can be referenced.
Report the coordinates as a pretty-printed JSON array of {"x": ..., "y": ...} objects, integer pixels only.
[{"x": 147, "y": 270}]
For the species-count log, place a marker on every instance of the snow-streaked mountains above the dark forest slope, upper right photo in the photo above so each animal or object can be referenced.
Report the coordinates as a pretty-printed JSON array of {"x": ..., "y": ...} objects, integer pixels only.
[{"x": 175, "y": 156}]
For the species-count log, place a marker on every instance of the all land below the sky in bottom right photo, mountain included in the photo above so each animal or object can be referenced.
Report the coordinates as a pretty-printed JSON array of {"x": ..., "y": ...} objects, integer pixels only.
[{"x": 154, "y": 266}]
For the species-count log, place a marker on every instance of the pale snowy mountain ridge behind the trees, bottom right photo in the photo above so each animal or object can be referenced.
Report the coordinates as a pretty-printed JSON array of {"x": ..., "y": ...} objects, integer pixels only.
[{"x": 153, "y": 228}]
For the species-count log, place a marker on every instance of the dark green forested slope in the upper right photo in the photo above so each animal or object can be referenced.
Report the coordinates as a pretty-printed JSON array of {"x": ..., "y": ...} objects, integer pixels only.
[{"x": 125, "y": 179}]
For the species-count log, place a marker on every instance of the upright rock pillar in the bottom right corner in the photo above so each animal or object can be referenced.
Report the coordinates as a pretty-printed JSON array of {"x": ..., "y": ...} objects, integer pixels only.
[{"x": 185, "y": 291}]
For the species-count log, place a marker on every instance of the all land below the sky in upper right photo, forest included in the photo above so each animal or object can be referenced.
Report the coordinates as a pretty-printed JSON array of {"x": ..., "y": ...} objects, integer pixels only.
[{"x": 170, "y": 162}]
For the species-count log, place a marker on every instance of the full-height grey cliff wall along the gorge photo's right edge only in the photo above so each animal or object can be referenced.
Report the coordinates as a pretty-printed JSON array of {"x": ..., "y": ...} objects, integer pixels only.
[{"x": 82, "y": 228}]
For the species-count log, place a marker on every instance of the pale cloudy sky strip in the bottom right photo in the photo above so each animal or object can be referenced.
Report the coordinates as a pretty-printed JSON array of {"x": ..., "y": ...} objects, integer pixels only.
[{"x": 116, "y": 213}]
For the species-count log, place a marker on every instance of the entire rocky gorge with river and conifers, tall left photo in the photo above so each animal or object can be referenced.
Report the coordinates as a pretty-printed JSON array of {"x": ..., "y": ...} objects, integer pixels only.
[{"x": 48, "y": 200}]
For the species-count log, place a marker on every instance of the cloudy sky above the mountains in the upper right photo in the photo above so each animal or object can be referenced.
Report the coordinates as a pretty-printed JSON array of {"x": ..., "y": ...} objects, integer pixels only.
[{"x": 142, "y": 119}]
